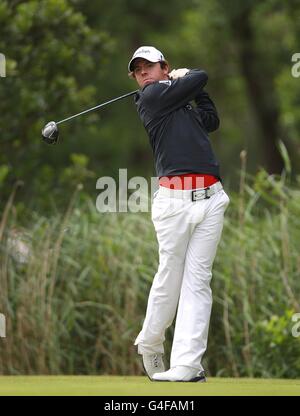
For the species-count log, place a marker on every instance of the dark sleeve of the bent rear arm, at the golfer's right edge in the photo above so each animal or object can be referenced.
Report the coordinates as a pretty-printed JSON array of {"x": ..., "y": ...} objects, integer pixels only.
[{"x": 207, "y": 111}]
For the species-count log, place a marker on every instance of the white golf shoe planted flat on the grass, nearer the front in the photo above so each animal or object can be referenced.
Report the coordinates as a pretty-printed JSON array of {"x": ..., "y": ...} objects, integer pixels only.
[{"x": 181, "y": 373}]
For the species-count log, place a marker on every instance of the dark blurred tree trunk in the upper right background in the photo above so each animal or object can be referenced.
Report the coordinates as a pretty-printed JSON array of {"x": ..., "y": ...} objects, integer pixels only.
[{"x": 259, "y": 66}]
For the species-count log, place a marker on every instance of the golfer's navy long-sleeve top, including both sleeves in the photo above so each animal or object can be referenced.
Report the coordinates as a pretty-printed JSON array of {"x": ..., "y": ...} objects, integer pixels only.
[{"x": 178, "y": 131}]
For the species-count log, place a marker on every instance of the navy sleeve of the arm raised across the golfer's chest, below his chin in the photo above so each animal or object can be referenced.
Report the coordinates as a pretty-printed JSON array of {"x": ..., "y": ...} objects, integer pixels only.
[{"x": 167, "y": 96}]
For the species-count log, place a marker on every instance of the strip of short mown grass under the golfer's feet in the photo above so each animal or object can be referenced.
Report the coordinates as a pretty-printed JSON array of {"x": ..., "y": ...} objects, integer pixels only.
[{"x": 141, "y": 386}]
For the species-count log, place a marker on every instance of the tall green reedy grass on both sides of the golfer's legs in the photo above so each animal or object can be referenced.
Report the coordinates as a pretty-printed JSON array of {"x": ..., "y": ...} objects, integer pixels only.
[{"x": 74, "y": 287}]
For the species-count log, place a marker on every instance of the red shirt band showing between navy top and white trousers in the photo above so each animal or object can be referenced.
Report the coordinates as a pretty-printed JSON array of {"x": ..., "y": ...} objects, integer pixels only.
[{"x": 187, "y": 181}]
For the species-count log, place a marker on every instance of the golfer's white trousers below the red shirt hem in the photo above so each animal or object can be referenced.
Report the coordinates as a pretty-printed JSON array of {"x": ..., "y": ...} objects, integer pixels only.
[{"x": 188, "y": 233}]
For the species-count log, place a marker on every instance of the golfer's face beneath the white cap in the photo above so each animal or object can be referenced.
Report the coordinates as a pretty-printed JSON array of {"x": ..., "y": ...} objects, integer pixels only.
[{"x": 146, "y": 72}]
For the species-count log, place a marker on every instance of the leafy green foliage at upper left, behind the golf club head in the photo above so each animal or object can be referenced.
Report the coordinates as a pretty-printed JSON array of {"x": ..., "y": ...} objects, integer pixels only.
[{"x": 51, "y": 54}]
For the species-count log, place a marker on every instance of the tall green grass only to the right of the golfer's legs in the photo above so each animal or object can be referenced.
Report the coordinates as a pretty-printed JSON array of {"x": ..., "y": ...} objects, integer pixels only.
[{"x": 257, "y": 281}]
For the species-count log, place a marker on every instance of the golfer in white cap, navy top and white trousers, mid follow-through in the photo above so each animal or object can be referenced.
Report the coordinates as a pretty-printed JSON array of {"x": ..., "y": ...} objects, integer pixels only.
[{"x": 187, "y": 212}]
